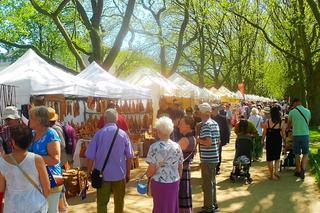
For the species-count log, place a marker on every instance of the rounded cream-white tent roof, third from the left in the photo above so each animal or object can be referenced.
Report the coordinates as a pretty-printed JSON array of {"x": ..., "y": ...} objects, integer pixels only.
[{"x": 151, "y": 79}]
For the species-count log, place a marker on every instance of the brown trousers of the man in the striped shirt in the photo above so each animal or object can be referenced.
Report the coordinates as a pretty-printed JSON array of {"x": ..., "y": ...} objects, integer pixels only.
[{"x": 208, "y": 174}]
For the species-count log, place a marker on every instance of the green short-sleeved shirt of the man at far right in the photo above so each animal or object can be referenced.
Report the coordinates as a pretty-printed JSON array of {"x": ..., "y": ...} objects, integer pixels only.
[{"x": 299, "y": 125}]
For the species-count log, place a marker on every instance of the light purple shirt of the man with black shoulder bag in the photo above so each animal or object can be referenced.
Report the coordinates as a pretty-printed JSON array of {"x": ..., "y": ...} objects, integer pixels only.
[{"x": 98, "y": 149}]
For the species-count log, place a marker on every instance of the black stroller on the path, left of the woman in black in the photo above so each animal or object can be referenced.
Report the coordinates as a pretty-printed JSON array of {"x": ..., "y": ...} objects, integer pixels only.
[{"x": 242, "y": 159}]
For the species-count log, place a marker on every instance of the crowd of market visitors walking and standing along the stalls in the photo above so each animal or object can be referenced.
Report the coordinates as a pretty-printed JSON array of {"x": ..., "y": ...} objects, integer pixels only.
[{"x": 32, "y": 153}]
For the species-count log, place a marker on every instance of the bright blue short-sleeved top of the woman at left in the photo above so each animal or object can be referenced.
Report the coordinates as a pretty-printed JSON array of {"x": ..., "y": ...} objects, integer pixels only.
[{"x": 40, "y": 147}]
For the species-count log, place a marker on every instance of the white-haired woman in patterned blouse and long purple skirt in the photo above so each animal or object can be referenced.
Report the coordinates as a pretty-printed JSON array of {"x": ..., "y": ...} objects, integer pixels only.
[{"x": 165, "y": 160}]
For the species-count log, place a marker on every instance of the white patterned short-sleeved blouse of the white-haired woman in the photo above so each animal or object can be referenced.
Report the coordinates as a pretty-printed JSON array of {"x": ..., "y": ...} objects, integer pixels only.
[{"x": 166, "y": 155}]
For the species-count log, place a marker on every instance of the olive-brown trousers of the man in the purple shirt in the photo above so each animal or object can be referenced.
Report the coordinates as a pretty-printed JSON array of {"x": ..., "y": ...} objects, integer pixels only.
[{"x": 103, "y": 195}]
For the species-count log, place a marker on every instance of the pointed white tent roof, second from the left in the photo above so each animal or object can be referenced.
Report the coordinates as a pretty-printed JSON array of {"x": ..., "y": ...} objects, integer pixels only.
[{"x": 112, "y": 86}]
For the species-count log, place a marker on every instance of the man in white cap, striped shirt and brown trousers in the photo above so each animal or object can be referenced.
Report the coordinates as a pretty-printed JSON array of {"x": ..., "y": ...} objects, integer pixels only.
[{"x": 208, "y": 140}]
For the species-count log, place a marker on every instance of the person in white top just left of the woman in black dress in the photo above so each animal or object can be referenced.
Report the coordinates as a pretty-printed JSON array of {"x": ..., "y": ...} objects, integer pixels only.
[{"x": 257, "y": 120}]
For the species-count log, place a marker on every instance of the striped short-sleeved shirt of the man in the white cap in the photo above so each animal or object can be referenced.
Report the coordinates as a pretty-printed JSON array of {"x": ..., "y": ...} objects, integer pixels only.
[{"x": 210, "y": 154}]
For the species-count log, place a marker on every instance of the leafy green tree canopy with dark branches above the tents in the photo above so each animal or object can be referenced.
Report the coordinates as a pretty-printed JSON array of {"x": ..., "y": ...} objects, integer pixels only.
[{"x": 271, "y": 45}]
